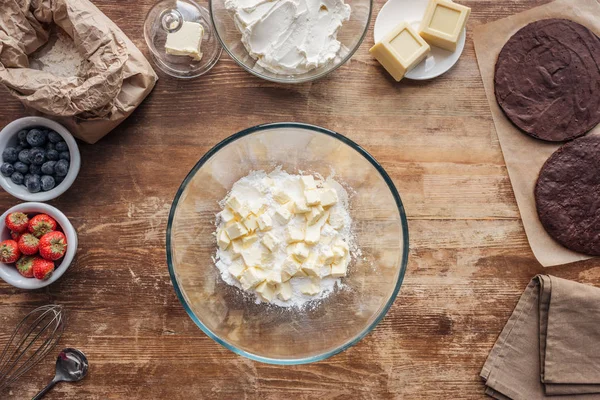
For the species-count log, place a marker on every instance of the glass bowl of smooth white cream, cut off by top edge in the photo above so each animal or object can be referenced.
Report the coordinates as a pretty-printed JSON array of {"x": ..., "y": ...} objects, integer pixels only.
[{"x": 290, "y": 41}]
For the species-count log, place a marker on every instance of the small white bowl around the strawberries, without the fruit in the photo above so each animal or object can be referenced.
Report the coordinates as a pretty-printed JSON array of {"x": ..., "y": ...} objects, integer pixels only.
[{"x": 10, "y": 274}]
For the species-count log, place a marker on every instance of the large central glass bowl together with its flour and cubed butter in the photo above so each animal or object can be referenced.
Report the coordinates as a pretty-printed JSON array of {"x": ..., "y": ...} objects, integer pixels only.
[{"x": 287, "y": 243}]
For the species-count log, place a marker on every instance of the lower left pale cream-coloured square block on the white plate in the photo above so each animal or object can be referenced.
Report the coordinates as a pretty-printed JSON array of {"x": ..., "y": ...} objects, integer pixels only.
[{"x": 400, "y": 50}]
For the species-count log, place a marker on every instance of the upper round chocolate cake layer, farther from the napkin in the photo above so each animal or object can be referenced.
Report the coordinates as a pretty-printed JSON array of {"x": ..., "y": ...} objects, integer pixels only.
[{"x": 547, "y": 79}]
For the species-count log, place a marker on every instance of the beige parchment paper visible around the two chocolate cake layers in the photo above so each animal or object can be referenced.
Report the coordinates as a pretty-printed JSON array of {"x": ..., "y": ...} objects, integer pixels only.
[{"x": 524, "y": 155}]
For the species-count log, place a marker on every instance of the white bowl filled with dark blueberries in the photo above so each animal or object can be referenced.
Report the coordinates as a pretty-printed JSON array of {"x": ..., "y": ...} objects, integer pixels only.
[{"x": 40, "y": 159}]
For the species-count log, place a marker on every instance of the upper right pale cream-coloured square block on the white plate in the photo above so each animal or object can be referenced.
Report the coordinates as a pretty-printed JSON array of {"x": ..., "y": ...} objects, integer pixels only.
[{"x": 443, "y": 23}]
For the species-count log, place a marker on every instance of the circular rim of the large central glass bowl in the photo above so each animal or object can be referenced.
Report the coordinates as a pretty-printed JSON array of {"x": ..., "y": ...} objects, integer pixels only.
[{"x": 403, "y": 263}]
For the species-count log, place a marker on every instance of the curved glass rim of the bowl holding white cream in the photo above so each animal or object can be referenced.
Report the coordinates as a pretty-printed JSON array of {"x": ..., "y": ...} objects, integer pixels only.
[{"x": 320, "y": 75}]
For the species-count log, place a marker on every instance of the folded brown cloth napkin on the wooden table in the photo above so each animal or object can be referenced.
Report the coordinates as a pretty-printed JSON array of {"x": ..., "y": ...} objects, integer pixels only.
[{"x": 550, "y": 345}]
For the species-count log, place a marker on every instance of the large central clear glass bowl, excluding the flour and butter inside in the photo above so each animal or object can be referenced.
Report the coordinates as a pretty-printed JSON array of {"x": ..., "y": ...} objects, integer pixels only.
[{"x": 269, "y": 333}]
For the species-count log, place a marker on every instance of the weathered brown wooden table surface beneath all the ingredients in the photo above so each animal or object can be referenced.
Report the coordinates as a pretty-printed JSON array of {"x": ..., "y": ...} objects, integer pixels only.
[{"x": 469, "y": 259}]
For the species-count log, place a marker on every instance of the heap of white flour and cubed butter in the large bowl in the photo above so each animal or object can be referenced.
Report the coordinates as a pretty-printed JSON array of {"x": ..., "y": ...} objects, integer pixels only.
[{"x": 286, "y": 239}]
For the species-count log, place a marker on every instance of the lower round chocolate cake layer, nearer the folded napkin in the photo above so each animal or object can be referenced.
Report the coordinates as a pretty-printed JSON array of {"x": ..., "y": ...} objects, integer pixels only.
[{"x": 567, "y": 195}]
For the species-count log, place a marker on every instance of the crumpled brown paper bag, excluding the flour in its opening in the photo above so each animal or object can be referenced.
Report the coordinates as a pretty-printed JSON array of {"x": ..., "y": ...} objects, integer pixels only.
[{"x": 116, "y": 80}]
